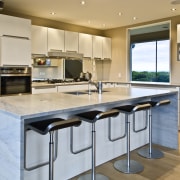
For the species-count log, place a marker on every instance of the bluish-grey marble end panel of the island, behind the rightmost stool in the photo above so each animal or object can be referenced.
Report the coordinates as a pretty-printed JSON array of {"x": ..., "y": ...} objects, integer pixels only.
[{"x": 165, "y": 122}]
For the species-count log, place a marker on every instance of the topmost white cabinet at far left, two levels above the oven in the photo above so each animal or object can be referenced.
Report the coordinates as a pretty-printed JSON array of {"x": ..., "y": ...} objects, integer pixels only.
[{"x": 14, "y": 26}]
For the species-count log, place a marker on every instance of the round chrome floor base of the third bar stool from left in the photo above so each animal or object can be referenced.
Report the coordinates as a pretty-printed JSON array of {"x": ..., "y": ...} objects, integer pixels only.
[{"x": 134, "y": 167}]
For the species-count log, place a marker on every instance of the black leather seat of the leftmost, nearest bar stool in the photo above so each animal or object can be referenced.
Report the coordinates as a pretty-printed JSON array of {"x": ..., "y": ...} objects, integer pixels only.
[{"x": 43, "y": 127}]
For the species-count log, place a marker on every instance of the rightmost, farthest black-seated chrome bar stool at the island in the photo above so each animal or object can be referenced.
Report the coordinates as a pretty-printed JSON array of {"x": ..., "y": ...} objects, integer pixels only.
[{"x": 150, "y": 152}]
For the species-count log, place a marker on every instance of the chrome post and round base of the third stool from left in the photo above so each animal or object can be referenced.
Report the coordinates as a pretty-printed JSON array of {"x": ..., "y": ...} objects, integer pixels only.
[{"x": 126, "y": 165}]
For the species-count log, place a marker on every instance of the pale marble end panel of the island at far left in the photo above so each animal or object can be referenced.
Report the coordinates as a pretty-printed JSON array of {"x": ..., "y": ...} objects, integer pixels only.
[{"x": 10, "y": 148}]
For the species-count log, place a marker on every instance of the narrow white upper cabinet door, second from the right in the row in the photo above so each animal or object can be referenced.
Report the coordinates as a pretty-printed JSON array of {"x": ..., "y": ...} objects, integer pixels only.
[{"x": 97, "y": 47}]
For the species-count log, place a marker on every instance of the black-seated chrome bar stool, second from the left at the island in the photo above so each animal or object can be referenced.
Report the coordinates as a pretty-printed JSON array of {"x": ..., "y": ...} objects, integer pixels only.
[{"x": 92, "y": 117}]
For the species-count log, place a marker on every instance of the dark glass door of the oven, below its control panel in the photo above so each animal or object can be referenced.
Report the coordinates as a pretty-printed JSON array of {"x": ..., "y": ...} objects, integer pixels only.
[{"x": 11, "y": 85}]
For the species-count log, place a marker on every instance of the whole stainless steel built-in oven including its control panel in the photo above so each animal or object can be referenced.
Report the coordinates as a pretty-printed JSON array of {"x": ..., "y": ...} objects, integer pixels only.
[{"x": 15, "y": 80}]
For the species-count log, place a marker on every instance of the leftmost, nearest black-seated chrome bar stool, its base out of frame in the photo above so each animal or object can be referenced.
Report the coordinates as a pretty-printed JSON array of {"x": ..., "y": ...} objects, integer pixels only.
[{"x": 51, "y": 125}]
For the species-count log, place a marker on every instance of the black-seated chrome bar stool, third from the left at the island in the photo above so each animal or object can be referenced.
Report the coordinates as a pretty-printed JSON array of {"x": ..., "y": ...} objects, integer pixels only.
[{"x": 127, "y": 165}]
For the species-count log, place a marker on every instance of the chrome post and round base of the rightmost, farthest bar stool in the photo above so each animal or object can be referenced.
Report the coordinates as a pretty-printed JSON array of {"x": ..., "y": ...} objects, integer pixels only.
[{"x": 150, "y": 152}]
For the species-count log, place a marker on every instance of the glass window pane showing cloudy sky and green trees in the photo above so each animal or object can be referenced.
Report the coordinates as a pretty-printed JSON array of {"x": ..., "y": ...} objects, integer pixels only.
[{"x": 150, "y": 61}]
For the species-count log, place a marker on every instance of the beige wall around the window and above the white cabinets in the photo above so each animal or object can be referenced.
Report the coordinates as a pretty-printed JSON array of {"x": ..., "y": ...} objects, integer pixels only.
[{"x": 118, "y": 69}]
